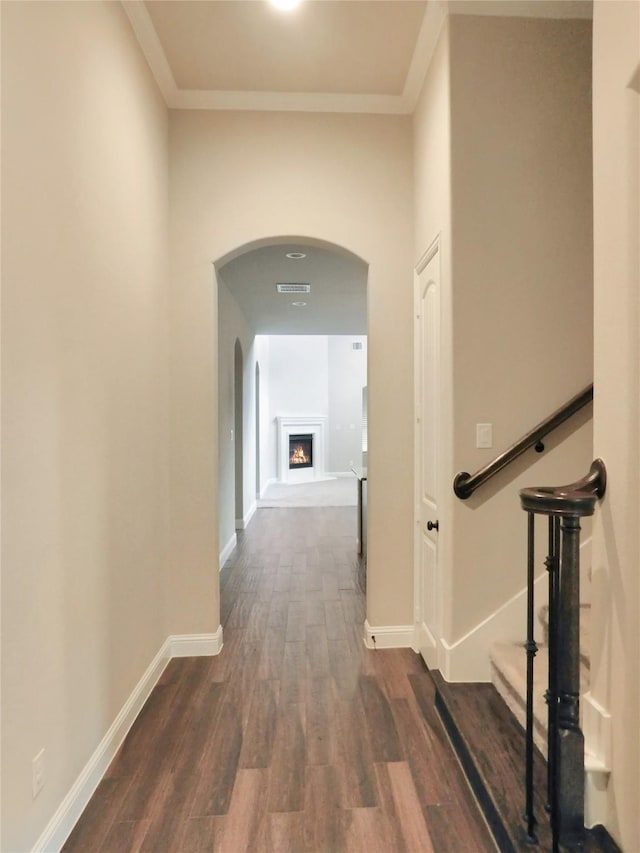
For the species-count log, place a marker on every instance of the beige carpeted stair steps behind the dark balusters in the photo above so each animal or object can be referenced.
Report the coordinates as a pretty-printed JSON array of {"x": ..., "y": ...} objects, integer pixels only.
[{"x": 509, "y": 674}]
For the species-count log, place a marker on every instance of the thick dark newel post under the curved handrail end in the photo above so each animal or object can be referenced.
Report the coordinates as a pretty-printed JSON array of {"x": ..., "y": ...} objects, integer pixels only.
[{"x": 570, "y": 756}]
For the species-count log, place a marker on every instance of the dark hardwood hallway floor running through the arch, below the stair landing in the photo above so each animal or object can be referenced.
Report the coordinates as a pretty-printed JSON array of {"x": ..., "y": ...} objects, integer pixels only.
[{"x": 296, "y": 737}]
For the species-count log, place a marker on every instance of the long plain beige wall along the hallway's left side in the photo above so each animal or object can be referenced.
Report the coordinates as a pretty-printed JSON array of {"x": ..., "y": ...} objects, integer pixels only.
[{"x": 85, "y": 391}]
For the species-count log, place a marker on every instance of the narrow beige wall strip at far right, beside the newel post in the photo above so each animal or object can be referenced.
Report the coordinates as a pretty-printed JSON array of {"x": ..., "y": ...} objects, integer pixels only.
[{"x": 616, "y": 586}]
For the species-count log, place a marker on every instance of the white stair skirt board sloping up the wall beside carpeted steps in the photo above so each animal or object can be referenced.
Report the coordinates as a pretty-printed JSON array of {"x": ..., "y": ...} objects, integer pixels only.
[{"x": 467, "y": 659}]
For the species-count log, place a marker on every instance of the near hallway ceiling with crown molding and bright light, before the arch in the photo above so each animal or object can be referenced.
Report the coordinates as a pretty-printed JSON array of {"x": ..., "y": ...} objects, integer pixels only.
[{"x": 326, "y": 55}]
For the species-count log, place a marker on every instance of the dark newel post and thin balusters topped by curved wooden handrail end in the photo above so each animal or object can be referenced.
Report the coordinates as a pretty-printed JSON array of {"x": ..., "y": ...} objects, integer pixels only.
[{"x": 564, "y": 506}]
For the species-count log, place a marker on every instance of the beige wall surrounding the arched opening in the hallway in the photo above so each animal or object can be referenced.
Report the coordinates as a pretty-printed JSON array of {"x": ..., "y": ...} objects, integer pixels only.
[{"x": 239, "y": 177}]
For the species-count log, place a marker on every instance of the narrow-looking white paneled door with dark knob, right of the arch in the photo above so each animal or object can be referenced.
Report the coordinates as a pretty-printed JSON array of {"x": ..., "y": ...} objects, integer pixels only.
[{"x": 427, "y": 377}]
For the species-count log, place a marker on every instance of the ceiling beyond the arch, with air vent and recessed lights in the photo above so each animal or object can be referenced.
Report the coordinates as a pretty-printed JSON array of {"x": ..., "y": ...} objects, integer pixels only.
[{"x": 336, "y": 305}]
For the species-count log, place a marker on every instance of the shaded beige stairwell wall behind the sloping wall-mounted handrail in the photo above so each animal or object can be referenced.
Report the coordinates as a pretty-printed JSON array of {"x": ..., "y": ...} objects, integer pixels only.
[{"x": 522, "y": 279}]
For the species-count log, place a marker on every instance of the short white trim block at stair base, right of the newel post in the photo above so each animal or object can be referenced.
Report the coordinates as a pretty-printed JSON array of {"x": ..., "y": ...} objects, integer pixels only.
[{"x": 596, "y": 724}]
